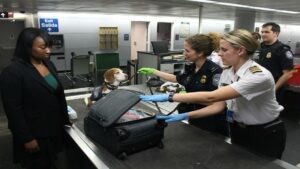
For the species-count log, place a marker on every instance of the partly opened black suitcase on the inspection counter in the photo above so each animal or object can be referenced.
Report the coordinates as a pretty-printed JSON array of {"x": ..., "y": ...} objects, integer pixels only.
[{"x": 121, "y": 134}]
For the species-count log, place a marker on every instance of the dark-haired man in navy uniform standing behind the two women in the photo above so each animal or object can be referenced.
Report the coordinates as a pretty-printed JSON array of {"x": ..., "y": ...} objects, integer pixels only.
[{"x": 276, "y": 57}]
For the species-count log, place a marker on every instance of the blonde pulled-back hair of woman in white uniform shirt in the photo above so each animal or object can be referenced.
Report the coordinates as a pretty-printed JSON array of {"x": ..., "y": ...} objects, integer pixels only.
[{"x": 242, "y": 37}]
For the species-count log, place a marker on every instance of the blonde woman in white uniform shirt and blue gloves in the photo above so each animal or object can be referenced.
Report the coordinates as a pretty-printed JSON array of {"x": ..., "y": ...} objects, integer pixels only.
[{"x": 248, "y": 90}]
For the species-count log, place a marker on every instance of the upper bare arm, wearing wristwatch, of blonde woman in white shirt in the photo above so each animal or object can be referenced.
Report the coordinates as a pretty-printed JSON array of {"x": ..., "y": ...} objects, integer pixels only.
[{"x": 221, "y": 94}]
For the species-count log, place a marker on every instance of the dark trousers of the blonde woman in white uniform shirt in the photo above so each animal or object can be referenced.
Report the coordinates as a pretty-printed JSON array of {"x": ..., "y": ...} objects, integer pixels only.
[{"x": 266, "y": 139}]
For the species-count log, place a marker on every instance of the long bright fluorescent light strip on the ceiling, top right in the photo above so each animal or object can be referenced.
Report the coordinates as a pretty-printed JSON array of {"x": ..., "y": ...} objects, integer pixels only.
[{"x": 245, "y": 6}]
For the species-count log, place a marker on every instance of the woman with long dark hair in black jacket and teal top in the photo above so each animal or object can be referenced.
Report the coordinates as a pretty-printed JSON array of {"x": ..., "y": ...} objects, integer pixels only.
[{"x": 34, "y": 101}]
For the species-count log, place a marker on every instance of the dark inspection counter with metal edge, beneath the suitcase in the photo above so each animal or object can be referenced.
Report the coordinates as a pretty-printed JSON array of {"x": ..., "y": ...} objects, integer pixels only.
[{"x": 185, "y": 147}]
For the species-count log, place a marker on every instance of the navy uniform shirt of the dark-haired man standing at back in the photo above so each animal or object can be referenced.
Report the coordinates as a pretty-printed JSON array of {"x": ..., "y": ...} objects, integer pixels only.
[{"x": 276, "y": 58}]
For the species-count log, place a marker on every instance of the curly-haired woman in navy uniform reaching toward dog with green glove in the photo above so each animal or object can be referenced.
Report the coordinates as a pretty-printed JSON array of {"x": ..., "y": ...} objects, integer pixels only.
[{"x": 201, "y": 75}]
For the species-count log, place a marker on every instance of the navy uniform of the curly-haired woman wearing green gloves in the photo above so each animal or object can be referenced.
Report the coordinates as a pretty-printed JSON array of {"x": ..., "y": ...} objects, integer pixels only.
[{"x": 205, "y": 79}]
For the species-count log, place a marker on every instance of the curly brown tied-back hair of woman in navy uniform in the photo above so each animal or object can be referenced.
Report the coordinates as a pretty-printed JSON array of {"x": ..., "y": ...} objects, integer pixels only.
[{"x": 204, "y": 43}]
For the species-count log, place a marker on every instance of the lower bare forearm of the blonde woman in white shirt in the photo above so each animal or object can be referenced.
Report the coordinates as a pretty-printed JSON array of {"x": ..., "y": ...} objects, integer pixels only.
[{"x": 212, "y": 109}]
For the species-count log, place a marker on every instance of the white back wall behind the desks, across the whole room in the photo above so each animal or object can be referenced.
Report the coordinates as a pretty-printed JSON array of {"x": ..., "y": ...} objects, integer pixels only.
[{"x": 81, "y": 30}]
